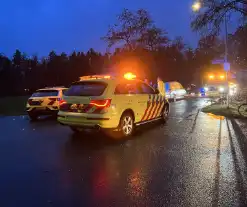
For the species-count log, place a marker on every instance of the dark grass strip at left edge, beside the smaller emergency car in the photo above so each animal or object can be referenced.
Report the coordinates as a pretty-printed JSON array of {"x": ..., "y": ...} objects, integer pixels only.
[{"x": 13, "y": 106}]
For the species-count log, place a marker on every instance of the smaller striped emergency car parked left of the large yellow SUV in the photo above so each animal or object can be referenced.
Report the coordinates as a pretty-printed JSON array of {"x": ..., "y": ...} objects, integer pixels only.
[{"x": 45, "y": 101}]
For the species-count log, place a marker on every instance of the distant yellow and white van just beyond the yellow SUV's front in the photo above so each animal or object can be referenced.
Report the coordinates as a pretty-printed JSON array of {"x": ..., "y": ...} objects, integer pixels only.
[{"x": 174, "y": 90}]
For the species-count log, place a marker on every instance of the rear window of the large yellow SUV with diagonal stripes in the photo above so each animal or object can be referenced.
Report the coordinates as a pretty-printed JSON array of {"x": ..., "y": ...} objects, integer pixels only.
[{"x": 86, "y": 88}]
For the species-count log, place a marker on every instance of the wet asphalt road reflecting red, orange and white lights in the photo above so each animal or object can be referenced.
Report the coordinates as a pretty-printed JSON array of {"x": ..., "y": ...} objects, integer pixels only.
[{"x": 194, "y": 160}]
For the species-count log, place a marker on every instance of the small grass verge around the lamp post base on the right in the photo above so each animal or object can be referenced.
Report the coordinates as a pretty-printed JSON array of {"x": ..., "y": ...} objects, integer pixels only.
[{"x": 222, "y": 110}]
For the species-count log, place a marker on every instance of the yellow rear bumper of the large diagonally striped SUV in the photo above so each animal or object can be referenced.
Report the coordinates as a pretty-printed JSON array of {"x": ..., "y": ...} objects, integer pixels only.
[{"x": 87, "y": 120}]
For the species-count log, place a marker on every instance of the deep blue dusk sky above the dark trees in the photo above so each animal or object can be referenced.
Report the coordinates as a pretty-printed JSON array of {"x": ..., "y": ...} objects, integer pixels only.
[{"x": 39, "y": 26}]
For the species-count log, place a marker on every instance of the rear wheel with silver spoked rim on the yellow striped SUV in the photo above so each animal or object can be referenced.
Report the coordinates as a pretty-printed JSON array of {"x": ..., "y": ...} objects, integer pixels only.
[{"x": 126, "y": 125}]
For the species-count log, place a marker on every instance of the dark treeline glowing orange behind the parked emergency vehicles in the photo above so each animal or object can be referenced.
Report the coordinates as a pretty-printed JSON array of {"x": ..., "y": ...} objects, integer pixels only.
[{"x": 173, "y": 60}]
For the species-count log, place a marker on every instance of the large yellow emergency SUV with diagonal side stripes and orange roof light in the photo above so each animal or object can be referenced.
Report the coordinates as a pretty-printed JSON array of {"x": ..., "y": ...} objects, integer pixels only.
[{"x": 107, "y": 102}]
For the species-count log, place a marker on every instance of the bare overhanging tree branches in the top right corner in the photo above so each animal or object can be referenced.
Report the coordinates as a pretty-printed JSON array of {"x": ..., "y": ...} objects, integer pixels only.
[{"x": 212, "y": 14}]
